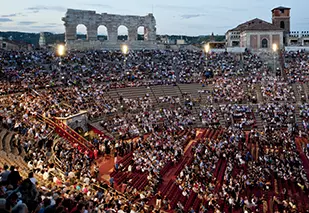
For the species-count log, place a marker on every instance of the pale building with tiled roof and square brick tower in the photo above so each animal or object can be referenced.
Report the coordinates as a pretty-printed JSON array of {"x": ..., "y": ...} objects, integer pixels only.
[{"x": 260, "y": 34}]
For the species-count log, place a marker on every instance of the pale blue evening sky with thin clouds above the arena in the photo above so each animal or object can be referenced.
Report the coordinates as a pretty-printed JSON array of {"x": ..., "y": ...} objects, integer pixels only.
[{"x": 195, "y": 17}]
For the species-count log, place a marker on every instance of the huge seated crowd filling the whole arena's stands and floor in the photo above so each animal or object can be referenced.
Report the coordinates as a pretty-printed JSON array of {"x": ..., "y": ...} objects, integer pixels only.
[{"x": 238, "y": 170}]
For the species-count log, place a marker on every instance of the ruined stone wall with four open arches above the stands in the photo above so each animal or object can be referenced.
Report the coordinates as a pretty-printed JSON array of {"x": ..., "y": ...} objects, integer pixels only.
[{"x": 93, "y": 21}]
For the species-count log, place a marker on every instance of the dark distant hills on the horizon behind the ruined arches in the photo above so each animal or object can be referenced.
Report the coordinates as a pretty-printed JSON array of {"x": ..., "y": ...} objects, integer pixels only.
[{"x": 33, "y": 38}]
